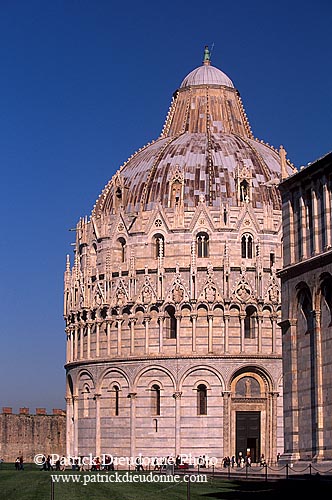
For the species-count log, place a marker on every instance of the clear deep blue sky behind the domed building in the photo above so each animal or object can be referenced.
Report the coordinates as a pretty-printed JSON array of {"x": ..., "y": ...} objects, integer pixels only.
[{"x": 83, "y": 85}]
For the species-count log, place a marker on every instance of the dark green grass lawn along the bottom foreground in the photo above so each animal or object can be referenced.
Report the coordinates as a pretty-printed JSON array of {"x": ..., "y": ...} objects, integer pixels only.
[{"x": 34, "y": 484}]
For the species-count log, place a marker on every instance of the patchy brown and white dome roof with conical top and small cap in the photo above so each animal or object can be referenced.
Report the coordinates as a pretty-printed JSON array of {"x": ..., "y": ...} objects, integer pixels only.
[{"x": 207, "y": 146}]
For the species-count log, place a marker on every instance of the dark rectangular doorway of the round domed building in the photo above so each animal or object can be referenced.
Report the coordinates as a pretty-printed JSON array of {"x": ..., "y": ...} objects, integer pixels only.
[{"x": 248, "y": 433}]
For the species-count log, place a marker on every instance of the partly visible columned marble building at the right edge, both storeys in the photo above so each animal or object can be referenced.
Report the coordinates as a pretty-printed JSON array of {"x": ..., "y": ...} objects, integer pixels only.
[{"x": 307, "y": 311}]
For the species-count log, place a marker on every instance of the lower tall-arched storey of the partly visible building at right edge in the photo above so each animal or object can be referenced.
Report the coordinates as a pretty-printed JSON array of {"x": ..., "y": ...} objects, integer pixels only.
[{"x": 307, "y": 368}]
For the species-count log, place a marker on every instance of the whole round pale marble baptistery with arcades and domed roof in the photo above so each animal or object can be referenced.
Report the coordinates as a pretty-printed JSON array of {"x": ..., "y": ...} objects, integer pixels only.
[{"x": 172, "y": 299}]
